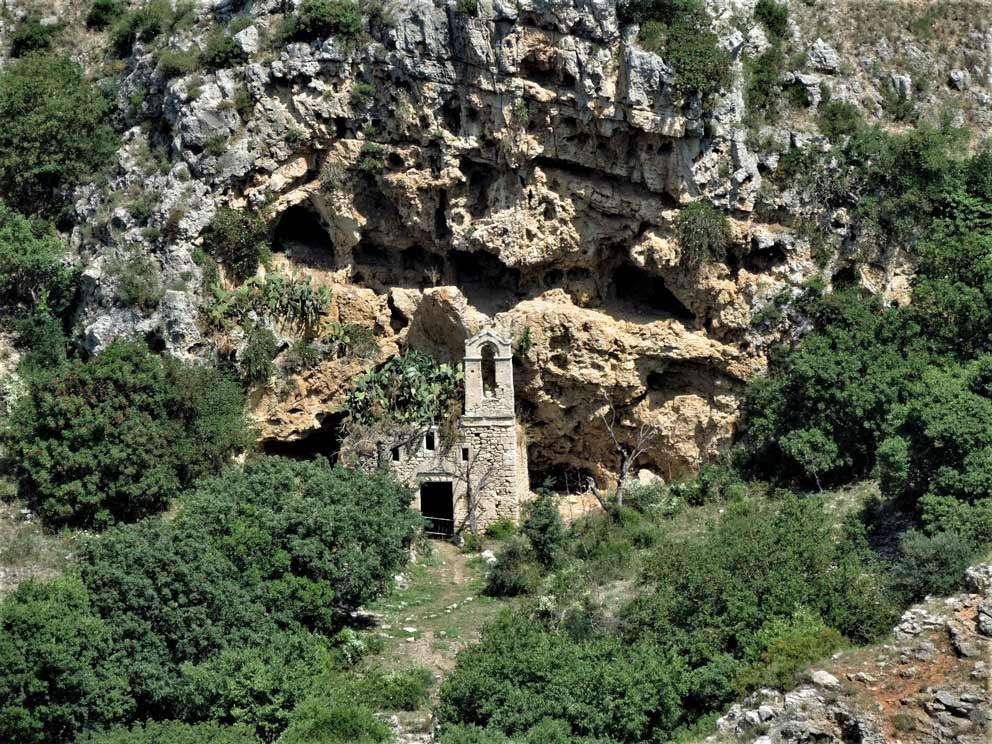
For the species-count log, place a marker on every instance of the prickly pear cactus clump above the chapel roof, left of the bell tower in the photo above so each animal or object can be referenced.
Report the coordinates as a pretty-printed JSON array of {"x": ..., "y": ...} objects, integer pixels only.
[{"x": 409, "y": 388}]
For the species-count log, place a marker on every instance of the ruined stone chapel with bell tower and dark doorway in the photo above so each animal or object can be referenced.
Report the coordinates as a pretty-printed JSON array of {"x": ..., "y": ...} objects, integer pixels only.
[{"x": 477, "y": 474}]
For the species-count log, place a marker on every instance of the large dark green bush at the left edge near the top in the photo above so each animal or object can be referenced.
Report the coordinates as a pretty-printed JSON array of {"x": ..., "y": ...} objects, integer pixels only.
[{"x": 53, "y": 131}]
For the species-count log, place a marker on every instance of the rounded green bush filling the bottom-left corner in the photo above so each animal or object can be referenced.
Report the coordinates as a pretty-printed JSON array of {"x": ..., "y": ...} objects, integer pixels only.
[{"x": 59, "y": 669}]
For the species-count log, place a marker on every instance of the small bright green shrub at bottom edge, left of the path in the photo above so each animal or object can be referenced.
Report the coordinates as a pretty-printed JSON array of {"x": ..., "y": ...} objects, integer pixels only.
[{"x": 322, "y": 721}]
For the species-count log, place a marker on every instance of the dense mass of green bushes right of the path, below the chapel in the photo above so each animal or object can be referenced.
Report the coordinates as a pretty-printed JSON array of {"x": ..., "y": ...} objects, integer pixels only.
[{"x": 752, "y": 600}]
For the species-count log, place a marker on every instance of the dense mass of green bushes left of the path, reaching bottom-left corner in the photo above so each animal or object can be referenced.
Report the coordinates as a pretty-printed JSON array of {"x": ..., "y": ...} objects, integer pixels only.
[{"x": 224, "y": 613}]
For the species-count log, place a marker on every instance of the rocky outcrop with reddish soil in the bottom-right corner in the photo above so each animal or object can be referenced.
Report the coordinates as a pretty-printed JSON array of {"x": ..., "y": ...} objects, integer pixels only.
[{"x": 929, "y": 683}]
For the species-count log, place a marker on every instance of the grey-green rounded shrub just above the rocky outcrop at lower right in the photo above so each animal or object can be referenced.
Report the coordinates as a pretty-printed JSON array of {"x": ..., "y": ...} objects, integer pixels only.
[{"x": 932, "y": 564}]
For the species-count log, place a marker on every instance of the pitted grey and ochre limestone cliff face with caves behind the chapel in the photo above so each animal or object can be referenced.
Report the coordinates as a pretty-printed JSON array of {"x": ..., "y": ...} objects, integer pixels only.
[{"x": 523, "y": 167}]
